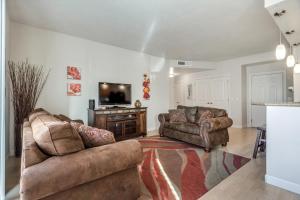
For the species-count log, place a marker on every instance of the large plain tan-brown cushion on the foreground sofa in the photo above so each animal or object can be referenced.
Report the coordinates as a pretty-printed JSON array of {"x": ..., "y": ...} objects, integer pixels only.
[{"x": 55, "y": 137}]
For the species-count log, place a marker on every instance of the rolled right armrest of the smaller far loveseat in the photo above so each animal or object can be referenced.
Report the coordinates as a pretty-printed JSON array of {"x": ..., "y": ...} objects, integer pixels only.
[{"x": 218, "y": 123}]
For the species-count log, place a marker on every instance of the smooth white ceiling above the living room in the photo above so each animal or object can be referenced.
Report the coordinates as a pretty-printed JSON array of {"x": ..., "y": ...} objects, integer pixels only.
[{"x": 209, "y": 30}]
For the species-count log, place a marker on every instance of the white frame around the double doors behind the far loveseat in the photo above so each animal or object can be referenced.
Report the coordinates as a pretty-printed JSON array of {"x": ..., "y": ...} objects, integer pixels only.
[{"x": 227, "y": 77}]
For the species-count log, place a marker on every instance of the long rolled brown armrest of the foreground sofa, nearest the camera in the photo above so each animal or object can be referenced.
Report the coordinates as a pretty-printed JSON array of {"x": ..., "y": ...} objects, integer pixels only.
[{"x": 60, "y": 173}]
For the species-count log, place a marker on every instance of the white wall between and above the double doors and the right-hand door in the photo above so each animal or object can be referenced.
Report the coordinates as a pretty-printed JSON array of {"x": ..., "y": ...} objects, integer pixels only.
[{"x": 232, "y": 68}]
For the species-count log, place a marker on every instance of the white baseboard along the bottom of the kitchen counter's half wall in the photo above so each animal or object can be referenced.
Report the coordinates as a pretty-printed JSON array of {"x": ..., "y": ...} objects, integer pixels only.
[{"x": 287, "y": 185}]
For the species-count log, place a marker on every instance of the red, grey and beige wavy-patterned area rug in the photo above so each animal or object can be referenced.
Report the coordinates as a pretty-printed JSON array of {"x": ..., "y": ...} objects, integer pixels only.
[{"x": 176, "y": 170}]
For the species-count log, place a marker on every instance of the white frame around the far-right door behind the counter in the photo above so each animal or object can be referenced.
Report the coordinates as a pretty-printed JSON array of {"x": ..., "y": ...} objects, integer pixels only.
[{"x": 249, "y": 88}]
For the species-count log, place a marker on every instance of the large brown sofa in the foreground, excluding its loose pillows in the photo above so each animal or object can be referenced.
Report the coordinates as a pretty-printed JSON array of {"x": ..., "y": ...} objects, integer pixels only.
[{"x": 104, "y": 172}]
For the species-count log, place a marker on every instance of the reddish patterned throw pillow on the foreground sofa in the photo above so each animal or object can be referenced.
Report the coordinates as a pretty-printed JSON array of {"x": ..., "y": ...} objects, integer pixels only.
[{"x": 93, "y": 137}]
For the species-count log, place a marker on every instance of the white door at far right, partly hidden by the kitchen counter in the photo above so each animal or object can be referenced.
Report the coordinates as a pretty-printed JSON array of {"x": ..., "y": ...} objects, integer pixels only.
[{"x": 265, "y": 88}]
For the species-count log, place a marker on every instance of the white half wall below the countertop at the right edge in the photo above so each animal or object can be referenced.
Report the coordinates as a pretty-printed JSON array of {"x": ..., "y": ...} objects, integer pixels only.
[{"x": 283, "y": 147}]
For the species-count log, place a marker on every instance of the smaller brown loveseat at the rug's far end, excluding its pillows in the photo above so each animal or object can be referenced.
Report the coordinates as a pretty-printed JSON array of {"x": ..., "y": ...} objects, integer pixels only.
[{"x": 208, "y": 133}]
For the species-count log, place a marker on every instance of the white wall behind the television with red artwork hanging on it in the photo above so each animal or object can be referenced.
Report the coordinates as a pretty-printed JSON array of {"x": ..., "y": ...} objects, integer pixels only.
[{"x": 98, "y": 62}]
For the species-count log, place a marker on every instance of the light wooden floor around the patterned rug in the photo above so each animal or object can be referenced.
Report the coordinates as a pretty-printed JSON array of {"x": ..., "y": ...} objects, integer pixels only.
[{"x": 245, "y": 184}]
